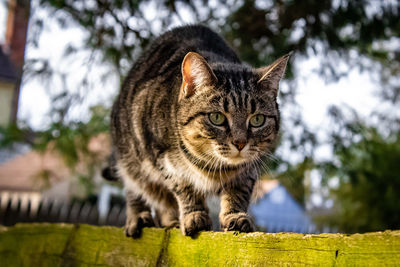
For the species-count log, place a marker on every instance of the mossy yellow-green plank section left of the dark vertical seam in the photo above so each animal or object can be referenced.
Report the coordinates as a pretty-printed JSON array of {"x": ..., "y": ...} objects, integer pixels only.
[{"x": 77, "y": 245}]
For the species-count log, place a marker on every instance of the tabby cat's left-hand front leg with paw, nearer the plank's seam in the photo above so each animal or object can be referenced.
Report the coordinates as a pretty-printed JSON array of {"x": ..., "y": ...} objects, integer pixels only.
[{"x": 192, "y": 210}]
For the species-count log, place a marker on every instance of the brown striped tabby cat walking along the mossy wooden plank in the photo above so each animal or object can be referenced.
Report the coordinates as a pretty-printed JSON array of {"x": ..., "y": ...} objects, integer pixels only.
[{"x": 191, "y": 120}]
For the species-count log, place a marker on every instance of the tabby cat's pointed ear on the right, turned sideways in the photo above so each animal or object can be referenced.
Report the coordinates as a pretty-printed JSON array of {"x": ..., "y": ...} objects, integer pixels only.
[{"x": 272, "y": 74}]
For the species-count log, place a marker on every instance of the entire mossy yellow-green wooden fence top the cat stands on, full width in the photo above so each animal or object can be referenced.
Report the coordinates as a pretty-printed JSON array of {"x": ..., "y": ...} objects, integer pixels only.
[{"x": 84, "y": 245}]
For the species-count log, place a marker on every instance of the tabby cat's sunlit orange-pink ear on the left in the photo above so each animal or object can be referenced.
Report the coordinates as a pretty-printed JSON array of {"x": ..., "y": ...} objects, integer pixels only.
[{"x": 196, "y": 73}]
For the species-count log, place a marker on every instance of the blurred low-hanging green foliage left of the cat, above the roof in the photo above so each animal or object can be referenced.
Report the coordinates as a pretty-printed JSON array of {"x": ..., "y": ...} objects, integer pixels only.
[{"x": 70, "y": 141}]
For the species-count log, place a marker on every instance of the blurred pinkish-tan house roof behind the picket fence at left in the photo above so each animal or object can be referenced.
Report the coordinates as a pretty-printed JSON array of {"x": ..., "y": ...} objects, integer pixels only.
[{"x": 24, "y": 169}]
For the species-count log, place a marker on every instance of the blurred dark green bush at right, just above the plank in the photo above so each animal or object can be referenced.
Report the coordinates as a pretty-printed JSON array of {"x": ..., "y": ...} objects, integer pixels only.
[{"x": 367, "y": 196}]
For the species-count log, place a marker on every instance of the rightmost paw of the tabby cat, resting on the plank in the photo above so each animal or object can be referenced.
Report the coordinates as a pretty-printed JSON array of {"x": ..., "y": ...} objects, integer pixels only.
[{"x": 241, "y": 222}]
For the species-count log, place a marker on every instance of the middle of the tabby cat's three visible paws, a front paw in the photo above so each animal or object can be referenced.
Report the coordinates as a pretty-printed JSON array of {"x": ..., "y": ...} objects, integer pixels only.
[{"x": 195, "y": 222}]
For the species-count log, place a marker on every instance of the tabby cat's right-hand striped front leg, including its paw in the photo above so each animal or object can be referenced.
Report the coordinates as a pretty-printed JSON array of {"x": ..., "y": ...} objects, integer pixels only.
[{"x": 235, "y": 201}]
